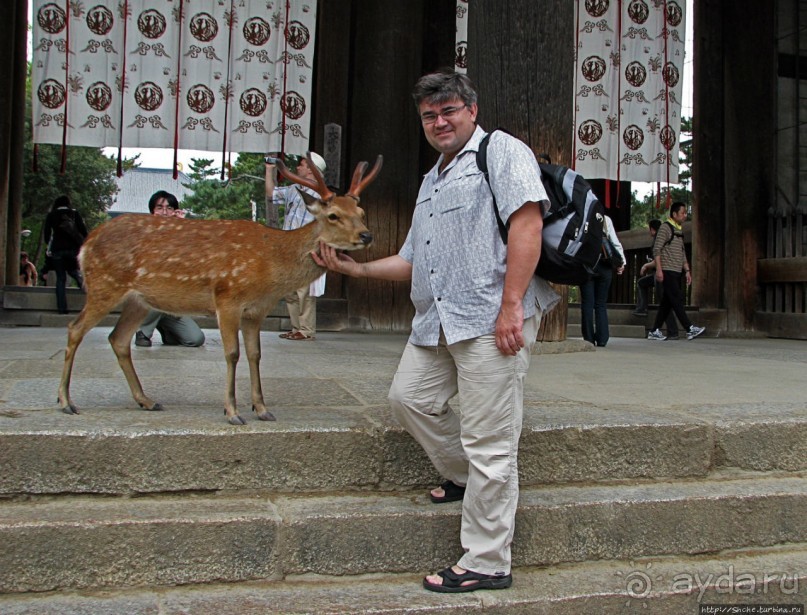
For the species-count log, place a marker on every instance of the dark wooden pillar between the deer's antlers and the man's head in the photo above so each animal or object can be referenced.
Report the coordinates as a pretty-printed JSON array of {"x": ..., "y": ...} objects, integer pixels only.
[{"x": 370, "y": 55}]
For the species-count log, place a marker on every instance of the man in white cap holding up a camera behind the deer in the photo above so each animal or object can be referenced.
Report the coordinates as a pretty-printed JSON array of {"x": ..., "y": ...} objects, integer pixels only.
[{"x": 302, "y": 304}]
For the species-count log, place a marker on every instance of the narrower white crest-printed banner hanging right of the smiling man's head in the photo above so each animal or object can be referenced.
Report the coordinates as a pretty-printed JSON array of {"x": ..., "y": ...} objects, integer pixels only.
[{"x": 629, "y": 61}]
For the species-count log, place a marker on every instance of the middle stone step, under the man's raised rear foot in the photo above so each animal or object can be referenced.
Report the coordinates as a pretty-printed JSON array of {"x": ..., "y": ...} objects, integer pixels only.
[{"x": 84, "y": 542}]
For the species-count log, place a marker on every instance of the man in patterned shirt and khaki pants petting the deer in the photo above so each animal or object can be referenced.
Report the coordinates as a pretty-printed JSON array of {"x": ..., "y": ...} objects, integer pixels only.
[{"x": 477, "y": 310}]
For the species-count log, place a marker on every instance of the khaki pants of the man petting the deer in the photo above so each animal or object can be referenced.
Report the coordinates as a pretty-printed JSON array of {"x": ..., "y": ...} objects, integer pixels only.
[{"x": 476, "y": 444}]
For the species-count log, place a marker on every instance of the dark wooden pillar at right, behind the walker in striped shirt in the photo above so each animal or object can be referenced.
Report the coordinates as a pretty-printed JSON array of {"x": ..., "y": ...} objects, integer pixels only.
[{"x": 734, "y": 153}]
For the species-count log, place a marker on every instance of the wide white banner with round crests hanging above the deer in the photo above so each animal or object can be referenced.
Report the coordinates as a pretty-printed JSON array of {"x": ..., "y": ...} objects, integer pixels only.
[{"x": 213, "y": 75}]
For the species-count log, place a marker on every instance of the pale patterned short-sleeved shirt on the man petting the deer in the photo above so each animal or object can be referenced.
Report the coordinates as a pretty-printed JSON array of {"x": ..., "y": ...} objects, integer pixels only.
[{"x": 457, "y": 255}]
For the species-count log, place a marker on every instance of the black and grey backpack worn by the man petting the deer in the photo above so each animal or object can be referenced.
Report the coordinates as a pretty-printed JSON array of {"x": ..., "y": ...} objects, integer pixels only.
[{"x": 571, "y": 244}]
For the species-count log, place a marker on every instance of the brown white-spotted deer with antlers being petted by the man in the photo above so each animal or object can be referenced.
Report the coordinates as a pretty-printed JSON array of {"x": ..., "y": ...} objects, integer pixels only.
[{"x": 236, "y": 269}]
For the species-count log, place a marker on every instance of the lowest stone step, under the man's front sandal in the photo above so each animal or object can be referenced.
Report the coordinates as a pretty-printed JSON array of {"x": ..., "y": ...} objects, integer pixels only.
[{"x": 661, "y": 586}]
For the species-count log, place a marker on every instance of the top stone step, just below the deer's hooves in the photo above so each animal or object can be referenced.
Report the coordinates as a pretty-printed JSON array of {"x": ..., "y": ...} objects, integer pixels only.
[{"x": 354, "y": 443}]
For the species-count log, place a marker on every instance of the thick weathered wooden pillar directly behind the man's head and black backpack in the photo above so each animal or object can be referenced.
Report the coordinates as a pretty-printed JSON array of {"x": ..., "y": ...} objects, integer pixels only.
[{"x": 520, "y": 59}]
